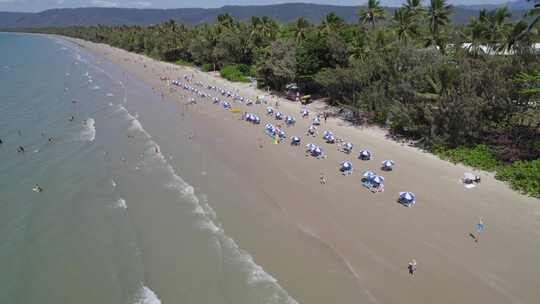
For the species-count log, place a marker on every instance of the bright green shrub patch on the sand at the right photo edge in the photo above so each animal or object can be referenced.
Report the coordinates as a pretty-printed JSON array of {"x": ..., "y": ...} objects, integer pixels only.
[{"x": 523, "y": 176}]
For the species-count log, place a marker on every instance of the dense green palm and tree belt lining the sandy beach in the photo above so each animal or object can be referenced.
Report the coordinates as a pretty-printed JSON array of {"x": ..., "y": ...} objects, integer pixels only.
[{"x": 469, "y": 93}]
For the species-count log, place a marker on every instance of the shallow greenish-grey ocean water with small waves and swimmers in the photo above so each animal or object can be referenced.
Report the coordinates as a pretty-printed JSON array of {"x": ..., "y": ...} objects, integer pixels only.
[{"x": 116, "y": 222}]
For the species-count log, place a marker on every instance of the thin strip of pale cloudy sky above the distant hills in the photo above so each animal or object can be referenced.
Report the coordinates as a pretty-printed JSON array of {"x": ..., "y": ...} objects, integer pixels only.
[{"x": 40, "y": 5}]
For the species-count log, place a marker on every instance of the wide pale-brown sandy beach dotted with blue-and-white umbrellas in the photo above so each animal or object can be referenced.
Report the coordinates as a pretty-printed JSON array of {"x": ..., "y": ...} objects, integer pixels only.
[{"x": 338, "y": 242}]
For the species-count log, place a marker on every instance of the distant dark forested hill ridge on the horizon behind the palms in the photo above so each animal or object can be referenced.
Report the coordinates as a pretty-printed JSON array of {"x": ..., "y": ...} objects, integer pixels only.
[{"x": 128, "y": 16}]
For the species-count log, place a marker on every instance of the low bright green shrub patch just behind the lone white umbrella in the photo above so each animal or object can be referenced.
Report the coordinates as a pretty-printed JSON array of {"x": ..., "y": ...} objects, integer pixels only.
[{"x": 479, "y": 157}]
